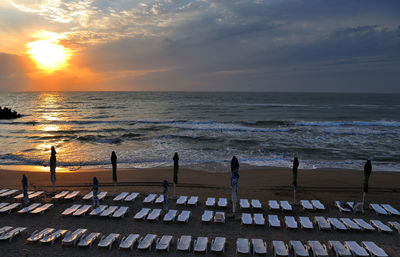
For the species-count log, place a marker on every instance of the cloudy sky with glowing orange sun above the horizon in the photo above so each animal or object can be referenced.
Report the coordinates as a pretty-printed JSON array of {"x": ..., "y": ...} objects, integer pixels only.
[{"x": 200, "y": 45}]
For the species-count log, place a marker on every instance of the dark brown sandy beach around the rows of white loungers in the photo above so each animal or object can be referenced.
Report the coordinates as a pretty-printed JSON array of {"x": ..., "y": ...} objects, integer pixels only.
[{"x": 255, "y": 183}]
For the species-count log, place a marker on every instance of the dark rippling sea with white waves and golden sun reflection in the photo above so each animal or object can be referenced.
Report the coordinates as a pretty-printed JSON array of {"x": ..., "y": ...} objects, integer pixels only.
[{"x": 145, "y": 129}]
